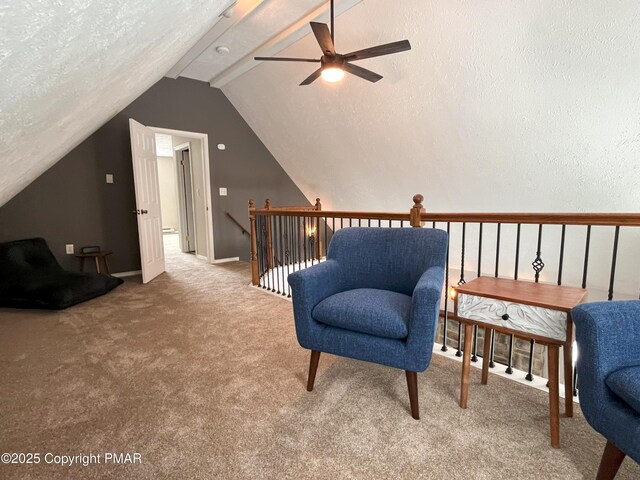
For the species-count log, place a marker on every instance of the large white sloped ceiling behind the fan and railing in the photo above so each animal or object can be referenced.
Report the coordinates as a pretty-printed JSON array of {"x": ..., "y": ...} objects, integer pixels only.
[{"x": 499, "y": 106}]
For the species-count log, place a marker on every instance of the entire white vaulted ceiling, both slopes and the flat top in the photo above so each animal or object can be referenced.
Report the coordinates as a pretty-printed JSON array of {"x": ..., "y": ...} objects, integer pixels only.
[{"x": 496, "y": 98}]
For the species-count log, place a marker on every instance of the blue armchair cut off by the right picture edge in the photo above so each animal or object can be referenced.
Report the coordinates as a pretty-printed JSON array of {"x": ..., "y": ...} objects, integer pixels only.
[{"x": 608, "y": 337}]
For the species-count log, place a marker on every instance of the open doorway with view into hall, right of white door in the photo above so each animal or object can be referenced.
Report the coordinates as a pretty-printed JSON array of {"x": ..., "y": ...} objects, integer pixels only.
[{"x": 184, "y": 184}]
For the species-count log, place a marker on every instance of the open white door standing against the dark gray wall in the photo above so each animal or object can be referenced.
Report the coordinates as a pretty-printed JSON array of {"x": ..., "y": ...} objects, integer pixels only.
[{"x": 145, "y": 177}]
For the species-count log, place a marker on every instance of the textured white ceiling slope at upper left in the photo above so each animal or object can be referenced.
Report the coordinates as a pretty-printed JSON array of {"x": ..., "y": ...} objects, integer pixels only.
[{"x": 67, "y": 67}]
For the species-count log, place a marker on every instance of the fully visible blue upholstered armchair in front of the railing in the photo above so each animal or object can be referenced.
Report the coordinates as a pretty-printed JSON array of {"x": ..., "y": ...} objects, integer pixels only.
[{"x": 376, "y": 298}]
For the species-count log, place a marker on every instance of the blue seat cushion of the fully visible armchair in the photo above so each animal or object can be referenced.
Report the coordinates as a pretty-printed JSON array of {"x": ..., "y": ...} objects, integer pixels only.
[{"x": 382, "y": 313}]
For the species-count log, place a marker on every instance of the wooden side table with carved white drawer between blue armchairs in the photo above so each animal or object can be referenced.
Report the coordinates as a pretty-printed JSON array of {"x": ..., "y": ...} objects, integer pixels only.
[{"x": 528, "y": 310}]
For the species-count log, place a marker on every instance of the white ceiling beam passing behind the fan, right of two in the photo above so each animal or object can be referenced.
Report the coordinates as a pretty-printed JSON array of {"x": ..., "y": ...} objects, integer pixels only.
[{"x": 280, "y": 41}]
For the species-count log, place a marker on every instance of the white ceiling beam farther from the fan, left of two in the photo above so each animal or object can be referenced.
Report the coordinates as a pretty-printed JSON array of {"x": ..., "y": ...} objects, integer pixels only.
[{"x": 237, "y": 10}]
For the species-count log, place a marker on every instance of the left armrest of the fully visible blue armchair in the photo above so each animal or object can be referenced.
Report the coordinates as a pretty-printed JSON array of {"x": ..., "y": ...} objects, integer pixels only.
[{"x": 308, "y": 288}]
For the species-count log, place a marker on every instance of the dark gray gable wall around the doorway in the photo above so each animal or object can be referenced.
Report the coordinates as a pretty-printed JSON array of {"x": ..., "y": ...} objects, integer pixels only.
[{"x": 71, "y": 203}]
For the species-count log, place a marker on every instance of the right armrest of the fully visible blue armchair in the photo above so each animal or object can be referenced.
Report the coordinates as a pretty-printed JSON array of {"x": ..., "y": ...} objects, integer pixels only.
[{"x": 425, "y": 310}]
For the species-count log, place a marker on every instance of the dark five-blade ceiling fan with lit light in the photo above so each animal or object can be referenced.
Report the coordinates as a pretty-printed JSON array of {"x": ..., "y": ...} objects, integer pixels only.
[{"x": 333, "y": 65}]
